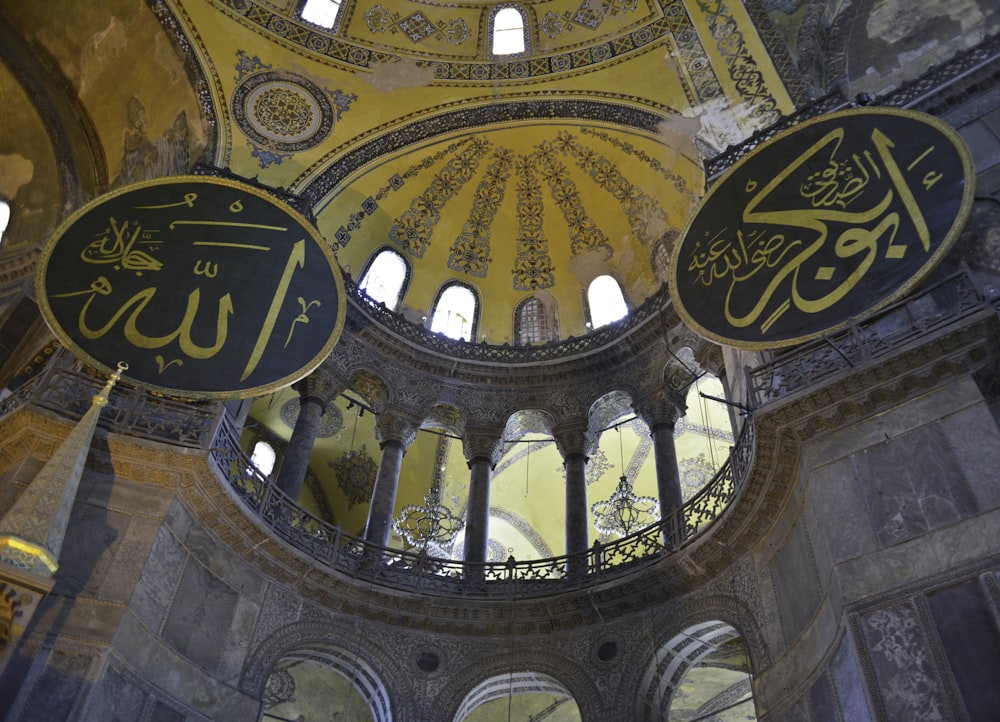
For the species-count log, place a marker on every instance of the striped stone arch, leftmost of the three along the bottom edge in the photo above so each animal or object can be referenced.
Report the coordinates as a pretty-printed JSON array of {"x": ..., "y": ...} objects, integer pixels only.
[{"x": 372, "y": 671}]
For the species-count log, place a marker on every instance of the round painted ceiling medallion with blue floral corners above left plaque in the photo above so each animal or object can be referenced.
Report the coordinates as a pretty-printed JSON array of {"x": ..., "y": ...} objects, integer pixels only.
[{"x": 282, "y": 113}]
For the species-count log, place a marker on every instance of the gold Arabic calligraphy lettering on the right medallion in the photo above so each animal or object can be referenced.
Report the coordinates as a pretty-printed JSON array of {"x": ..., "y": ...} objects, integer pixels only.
[{"x": 833, "y": 194}]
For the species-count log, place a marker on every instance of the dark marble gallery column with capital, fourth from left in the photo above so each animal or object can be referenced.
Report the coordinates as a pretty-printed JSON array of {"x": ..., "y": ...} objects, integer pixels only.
[{"x": 575, "y": 442}]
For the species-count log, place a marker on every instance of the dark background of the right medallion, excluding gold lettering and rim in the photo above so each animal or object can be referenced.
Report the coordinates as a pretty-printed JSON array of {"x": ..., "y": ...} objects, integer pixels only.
[{"x": 944, "y": 207}]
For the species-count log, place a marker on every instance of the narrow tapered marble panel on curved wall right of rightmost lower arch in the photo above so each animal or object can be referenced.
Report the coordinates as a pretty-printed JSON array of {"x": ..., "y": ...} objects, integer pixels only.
[{"x": 796, "y": 582}]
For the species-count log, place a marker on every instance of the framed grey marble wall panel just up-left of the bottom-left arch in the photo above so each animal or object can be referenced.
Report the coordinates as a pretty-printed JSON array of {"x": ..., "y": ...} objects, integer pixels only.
[{"x": 200, "y": 616}]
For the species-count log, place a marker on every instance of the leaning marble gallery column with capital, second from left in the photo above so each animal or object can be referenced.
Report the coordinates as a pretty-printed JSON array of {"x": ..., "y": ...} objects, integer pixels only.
[{"x": 395, "y": 432}]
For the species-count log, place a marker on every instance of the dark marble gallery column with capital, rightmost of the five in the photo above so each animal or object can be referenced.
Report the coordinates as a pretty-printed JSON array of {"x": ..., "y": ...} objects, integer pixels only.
[{"x": 661, "y": 411}]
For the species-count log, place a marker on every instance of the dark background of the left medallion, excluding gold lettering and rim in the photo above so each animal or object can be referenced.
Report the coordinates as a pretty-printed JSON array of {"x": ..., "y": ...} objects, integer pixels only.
[{"x": 251, "y": 277}]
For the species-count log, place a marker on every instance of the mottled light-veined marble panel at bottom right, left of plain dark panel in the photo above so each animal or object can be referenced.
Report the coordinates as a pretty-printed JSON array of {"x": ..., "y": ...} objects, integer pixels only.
[{"x": 902, "y": 662}]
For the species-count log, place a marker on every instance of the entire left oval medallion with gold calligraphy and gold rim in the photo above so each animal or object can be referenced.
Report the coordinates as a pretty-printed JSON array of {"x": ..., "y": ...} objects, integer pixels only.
[{"x": 206, "y": 287}]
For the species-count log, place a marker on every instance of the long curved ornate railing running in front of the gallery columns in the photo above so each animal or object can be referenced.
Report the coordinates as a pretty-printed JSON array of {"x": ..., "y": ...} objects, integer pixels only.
[{"x": 419, "y": 572}]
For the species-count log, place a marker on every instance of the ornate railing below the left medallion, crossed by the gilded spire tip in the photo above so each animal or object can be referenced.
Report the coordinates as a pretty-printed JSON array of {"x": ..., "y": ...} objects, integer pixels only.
[{"x": 66, "y": 388}]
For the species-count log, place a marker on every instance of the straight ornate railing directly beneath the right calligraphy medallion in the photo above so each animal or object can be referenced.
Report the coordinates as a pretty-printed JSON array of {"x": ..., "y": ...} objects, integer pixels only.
[{"x": 885, "y": 332}]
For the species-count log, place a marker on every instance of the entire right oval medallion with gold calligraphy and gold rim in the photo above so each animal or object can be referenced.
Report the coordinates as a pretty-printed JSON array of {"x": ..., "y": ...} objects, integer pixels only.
[{"x": 822, "y": 225}]
